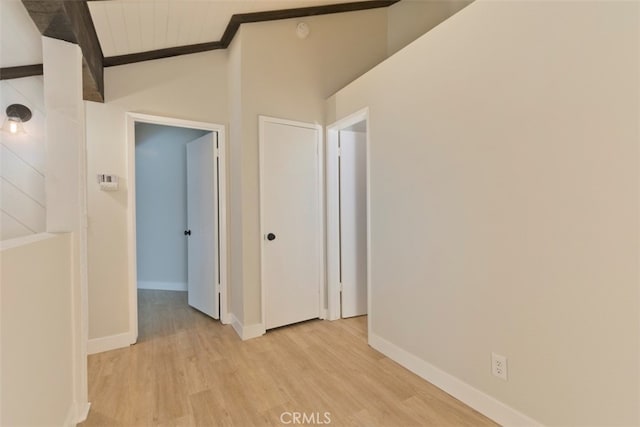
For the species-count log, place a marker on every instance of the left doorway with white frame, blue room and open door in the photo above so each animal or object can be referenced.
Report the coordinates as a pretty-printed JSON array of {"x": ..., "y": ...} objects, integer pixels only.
[{"x": 187, "y": 208}]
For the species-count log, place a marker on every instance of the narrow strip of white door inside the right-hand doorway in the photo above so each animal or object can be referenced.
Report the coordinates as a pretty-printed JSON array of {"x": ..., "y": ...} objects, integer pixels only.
[{"x": 353, "y": 222}]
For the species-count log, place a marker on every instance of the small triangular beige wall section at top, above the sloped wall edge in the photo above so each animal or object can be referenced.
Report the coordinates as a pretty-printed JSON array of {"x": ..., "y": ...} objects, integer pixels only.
[{"x": 409, "y": 19}]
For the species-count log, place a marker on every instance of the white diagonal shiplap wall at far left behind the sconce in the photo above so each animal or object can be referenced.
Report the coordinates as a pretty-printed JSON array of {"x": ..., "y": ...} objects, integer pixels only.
[{"x": 22, "y": 162}]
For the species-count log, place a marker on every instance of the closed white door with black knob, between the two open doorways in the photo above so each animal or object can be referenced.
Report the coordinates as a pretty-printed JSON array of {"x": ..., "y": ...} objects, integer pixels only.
[{"x": 290, "y": 216}]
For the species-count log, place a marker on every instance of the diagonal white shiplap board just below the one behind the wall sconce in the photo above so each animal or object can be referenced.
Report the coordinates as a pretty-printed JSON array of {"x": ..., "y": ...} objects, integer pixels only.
[{"x": 22, "y": 175}]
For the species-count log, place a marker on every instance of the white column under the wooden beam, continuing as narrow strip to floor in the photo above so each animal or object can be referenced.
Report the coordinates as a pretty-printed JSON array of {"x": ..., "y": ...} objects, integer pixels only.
[{"x": 66, "y": 190}]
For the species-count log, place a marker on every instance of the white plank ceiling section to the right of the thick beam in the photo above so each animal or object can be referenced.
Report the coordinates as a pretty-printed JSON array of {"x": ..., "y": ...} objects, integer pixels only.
[{"x": 131, "y": 26}]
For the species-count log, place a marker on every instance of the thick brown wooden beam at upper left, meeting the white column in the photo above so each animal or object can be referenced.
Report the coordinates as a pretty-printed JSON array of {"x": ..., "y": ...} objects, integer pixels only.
[{"x": 71, "y": 21}]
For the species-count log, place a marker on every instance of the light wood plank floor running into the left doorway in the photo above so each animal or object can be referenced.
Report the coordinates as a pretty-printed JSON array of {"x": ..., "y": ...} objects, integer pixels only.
[{"x": 189, "y": 370}]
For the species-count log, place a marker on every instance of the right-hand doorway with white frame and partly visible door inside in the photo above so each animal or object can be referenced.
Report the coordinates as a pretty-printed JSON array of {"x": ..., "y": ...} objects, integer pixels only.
[{"x": 348, "y": 217}]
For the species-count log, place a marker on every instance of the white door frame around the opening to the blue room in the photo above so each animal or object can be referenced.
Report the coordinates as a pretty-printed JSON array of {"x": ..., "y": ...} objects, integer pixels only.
[{"x": 132, "y": 119}]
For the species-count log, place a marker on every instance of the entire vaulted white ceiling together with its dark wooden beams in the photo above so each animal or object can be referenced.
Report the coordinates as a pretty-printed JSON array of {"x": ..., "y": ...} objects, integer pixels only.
[{"x": 116, "y": 32}]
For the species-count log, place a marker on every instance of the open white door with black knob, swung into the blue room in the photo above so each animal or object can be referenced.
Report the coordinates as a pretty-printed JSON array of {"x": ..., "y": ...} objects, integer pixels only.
[{"x": 202, "y": 218}]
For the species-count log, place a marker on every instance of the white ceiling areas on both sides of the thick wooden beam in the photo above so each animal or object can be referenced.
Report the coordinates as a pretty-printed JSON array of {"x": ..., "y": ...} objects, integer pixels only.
[{"x": 131, "y": 26}]
